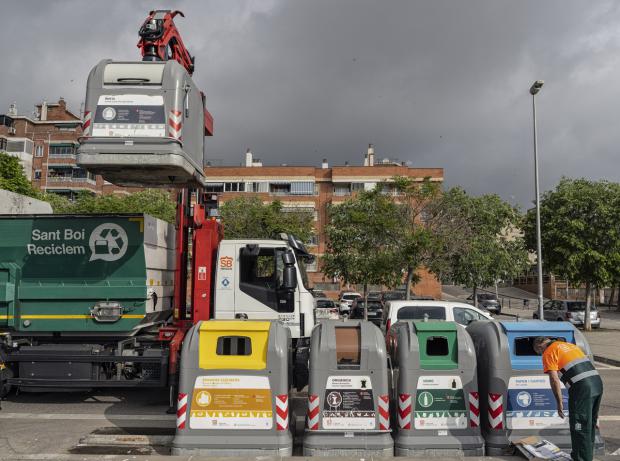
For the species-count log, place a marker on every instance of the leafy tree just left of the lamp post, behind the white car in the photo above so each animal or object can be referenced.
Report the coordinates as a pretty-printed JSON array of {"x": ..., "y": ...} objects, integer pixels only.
[{"x": 489, "y": 248}]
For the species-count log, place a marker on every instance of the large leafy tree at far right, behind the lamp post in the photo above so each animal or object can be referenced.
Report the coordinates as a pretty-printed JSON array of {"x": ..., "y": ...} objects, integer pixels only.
[{"x": 580, "y": 233}]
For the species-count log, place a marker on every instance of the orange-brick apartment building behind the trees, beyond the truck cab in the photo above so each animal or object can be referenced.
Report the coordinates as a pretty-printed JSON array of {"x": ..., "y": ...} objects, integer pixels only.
[{"x": 312, "y": 189}]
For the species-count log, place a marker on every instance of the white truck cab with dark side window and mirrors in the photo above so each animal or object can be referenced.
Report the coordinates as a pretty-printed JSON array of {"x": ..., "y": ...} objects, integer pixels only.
[{"x": 265, "y": 279}]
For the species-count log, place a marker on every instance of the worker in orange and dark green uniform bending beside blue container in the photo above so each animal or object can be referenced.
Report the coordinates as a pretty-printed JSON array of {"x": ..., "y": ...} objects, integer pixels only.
[{"x": 565, "y": 362}]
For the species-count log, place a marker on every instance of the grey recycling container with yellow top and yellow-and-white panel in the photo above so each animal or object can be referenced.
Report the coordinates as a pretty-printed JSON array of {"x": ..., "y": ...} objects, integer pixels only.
[{"x": 233, "y": 390}]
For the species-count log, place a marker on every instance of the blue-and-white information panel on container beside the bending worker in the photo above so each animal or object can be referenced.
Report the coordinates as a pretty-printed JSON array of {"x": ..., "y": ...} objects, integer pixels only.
[{"x": 531, "y": 404}]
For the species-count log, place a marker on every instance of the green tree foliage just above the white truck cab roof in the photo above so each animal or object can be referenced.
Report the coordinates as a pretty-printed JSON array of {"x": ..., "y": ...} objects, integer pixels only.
[{"x": 248, "y": 217}]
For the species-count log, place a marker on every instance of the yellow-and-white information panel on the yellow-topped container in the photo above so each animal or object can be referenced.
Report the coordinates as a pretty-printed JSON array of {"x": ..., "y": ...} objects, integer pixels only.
[{"x": 231, "y": 402}]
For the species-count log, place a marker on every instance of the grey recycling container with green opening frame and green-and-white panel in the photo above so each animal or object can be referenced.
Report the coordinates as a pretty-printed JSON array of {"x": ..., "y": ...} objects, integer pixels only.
[{"x": 436, "y": 396}]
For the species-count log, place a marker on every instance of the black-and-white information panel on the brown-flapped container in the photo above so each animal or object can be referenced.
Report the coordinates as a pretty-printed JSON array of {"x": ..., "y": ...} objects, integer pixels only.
[{"x": 349, "y": 403}]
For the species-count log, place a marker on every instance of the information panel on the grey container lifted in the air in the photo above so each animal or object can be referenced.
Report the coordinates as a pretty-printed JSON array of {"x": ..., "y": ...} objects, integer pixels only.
[{"x": 130, "y": 115}]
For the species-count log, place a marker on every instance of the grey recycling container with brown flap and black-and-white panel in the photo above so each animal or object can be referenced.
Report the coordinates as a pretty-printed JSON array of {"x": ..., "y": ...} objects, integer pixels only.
[{"x": 348, "y": 394}]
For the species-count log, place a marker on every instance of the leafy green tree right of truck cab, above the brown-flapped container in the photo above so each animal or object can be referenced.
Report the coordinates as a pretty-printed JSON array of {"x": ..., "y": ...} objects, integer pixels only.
[{"x": 363, "y": 241}]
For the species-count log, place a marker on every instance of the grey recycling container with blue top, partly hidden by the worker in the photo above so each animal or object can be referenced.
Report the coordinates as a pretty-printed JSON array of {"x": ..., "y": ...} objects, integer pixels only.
[{"x": 515, "y": 395}]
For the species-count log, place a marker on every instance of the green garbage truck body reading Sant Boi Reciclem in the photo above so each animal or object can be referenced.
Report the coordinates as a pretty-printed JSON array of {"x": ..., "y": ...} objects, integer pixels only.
[{"x": 96, "y": 286}]
